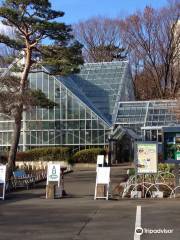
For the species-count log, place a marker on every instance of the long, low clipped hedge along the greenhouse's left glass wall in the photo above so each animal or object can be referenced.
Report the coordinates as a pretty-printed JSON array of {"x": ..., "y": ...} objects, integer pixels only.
[{"x": 44, "y": 154}]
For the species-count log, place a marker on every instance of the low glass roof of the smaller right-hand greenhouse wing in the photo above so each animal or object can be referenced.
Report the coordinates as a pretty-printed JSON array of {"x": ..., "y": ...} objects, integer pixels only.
[{"x": 139, "y": 114}]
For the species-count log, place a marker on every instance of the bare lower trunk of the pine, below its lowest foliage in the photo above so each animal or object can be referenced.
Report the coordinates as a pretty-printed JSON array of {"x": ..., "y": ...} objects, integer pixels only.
[{"x": 14, "y": 146}]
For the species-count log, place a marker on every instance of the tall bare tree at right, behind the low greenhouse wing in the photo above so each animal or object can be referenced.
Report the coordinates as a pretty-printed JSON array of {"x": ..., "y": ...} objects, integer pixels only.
[{"x": 153, "y": 40}]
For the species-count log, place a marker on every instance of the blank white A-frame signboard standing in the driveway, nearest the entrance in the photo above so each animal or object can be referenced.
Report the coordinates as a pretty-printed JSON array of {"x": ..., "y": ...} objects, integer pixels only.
[{"x": 102, "y": 183}]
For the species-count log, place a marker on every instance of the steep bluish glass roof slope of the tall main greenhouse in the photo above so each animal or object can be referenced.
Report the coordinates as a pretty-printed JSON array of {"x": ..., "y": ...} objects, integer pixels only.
[{"x": 102, "y": 86}]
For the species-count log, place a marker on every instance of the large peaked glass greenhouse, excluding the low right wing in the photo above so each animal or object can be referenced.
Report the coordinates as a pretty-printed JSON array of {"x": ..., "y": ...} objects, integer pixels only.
[{"x": 87, "y": 106}]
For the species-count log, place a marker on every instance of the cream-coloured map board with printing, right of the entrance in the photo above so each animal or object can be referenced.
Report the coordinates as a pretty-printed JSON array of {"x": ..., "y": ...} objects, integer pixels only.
[{"x": 147, "y": 155}]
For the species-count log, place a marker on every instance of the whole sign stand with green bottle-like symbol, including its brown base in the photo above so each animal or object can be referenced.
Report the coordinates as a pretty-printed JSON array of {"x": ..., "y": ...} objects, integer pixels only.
[{"x": 53, "y": 179}]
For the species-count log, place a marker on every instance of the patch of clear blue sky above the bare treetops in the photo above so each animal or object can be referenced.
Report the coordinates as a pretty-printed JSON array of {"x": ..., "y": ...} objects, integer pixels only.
[{"x": 76, "y": 10}]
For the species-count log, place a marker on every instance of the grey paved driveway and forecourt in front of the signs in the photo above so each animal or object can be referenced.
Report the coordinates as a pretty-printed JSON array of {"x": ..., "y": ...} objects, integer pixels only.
[{"x": 26, "y": 214}]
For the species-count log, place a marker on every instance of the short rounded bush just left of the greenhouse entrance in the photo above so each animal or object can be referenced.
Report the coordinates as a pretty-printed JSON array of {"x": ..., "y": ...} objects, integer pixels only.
[{"x": 88, "y": 155}]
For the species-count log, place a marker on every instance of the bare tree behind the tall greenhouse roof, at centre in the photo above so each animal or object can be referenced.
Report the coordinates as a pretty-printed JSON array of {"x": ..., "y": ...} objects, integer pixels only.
[{"x": 101, "y": 39}]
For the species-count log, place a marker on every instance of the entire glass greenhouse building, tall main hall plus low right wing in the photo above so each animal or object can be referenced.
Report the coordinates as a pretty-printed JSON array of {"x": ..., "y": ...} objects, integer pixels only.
[{"x": 93, "y": 107}]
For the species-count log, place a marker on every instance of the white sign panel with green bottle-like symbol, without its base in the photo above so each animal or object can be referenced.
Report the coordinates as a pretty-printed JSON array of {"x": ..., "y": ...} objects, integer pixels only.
[{"x": 53, "y": 173}]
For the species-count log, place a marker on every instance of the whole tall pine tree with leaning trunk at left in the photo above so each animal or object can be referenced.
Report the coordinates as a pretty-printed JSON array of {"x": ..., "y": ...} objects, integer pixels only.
[{"x": 36, "y": 23}]
